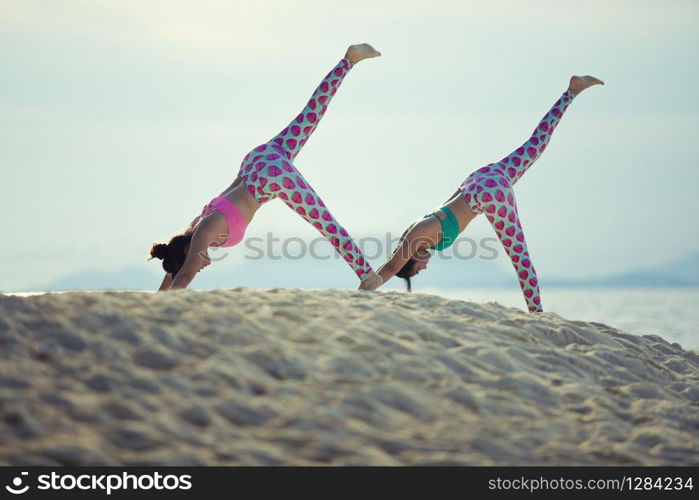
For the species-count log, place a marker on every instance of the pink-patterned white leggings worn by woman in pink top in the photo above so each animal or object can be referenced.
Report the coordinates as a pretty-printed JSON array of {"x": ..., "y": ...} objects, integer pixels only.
[{"x": 268, "y": 172}]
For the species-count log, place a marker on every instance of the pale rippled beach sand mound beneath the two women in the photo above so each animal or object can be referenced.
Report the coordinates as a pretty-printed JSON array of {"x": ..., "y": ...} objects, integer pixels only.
[{"x": 283, "y": 376}]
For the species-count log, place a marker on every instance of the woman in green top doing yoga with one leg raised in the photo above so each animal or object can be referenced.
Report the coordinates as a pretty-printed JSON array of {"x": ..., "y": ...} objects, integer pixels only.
[{"x": 487, "y": 190}]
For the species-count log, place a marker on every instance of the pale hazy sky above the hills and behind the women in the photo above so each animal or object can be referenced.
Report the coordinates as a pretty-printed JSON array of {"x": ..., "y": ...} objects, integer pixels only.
[{"x": 120, "y": 120}]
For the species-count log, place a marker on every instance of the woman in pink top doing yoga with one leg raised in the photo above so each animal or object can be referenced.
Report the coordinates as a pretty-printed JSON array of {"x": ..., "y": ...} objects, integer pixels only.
[{"x": 267, "y": 172}]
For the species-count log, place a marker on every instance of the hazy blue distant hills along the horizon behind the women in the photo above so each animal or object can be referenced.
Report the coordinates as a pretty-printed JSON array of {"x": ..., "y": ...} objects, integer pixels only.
[{"x": 334, "y": 273}]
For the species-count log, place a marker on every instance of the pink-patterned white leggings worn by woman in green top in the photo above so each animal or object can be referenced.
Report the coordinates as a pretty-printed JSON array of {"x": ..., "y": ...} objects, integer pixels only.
[{"x": 489, "y": 190}]
